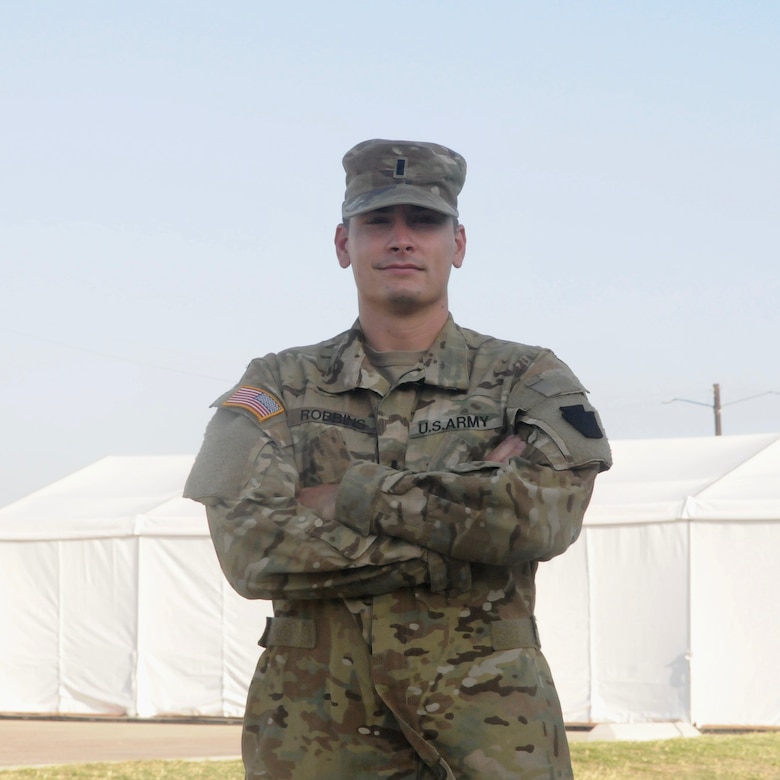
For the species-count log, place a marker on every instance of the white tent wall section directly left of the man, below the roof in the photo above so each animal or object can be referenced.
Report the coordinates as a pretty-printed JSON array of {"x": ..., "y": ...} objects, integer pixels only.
[{"x": 203, "y": 666}]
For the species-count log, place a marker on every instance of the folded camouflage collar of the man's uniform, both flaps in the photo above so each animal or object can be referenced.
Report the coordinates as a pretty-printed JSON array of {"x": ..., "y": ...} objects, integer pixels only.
[{"x": 444, "y": 365}]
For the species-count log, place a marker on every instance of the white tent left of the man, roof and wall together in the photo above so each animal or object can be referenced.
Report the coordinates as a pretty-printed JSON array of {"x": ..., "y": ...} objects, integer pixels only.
[{"x": 113, "y": 601}]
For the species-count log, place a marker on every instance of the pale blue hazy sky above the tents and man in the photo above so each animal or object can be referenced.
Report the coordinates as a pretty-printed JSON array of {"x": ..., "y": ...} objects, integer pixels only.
[{"x": 170, "y": 180}]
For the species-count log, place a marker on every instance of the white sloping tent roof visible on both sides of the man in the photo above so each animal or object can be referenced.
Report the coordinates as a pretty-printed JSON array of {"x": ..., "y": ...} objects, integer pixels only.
[{"x": 708, "y": 478}]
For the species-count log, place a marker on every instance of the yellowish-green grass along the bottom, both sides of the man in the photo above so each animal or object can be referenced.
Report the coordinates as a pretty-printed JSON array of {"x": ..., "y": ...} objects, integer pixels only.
[{"x": 721, "y": 757}]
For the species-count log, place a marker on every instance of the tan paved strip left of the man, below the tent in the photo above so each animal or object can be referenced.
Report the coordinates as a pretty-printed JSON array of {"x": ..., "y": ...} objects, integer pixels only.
[{"x": 34, "y": 742}]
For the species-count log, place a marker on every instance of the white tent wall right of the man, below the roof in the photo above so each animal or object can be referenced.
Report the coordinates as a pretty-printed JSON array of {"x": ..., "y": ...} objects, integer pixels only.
[{"x": 665, "y": 622}]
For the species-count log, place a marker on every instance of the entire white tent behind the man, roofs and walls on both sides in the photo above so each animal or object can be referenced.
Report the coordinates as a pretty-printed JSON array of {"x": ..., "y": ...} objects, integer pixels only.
[{"x": 112, "y": 602}]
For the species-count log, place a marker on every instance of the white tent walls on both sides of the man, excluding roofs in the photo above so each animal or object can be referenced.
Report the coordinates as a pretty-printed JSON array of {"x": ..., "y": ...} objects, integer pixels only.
[{"x": 632, "y": 630}]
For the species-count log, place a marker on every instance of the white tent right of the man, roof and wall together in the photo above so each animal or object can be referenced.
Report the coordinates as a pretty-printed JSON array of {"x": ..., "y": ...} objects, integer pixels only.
[{"x": 666, "y": 608}]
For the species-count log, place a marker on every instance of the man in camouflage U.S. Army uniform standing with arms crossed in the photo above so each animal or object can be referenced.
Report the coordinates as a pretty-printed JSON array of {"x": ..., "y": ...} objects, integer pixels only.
[{"x": 393, "y": 490}]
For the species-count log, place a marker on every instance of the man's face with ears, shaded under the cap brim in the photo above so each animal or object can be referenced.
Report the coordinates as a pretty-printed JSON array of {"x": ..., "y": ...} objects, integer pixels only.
[{"x": 401, "y": 257}]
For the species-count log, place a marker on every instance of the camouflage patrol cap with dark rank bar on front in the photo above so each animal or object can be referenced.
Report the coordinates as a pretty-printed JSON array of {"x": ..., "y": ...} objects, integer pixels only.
[{"x": 391, "y": 173}]
